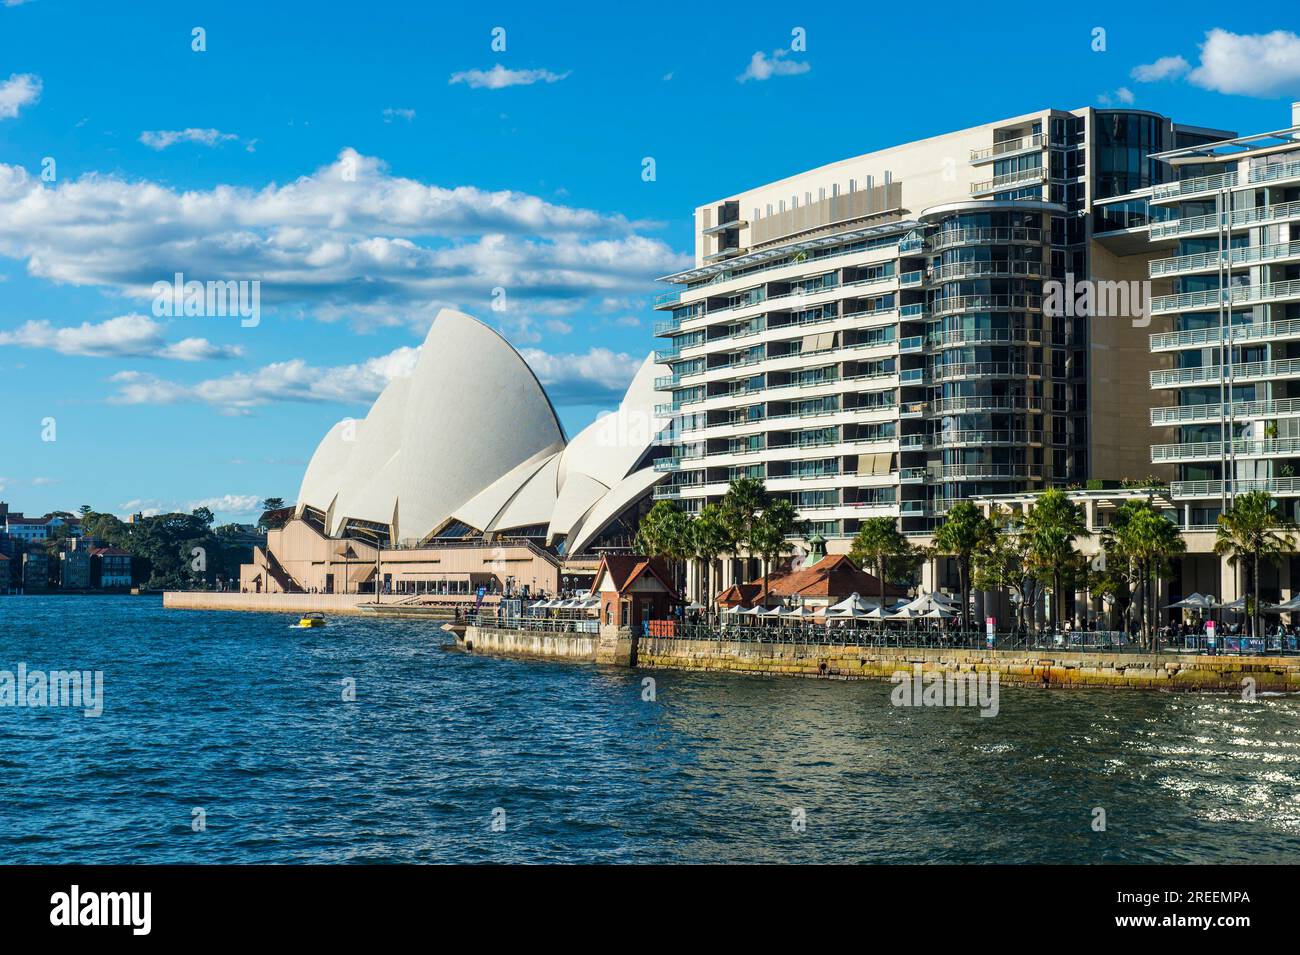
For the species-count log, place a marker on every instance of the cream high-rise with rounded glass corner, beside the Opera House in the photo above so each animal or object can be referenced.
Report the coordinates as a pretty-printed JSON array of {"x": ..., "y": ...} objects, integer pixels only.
[{"x": 870, "y": 337}]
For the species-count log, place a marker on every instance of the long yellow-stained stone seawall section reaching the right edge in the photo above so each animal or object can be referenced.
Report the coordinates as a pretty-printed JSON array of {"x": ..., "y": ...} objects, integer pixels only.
[{"x": 1015, "y": 667}]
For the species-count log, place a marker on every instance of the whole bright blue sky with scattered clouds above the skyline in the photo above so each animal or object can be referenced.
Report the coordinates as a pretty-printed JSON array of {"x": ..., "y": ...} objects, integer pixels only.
[{"x": 228, "y": 164}]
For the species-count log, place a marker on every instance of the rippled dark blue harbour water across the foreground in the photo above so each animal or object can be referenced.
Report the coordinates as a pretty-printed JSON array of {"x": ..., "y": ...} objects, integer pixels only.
[{"x": 242, "y": 717}]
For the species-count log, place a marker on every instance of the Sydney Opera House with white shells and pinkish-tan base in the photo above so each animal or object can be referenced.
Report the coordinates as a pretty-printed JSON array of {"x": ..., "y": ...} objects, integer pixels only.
[{"x": 461, "y": 476}]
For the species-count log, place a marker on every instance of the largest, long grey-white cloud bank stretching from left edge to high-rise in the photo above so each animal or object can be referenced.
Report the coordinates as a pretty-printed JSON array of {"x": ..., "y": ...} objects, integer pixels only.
[{"x": 350, "y": 241}]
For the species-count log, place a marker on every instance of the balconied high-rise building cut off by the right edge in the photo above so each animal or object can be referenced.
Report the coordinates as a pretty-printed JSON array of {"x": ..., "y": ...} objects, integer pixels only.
[{"x": 1225, "y": 238}]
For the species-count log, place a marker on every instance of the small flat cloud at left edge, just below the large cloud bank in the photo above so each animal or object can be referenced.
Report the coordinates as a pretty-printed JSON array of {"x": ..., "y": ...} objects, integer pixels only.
[{"x": 129, "y": 336}]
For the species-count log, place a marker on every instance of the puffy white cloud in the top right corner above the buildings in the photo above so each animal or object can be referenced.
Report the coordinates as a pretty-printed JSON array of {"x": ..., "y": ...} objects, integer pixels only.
[{"x": 1250, "y": 64}]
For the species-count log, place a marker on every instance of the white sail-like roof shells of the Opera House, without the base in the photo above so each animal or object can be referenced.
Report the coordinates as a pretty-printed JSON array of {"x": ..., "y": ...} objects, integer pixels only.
[{"x": 470, "y": 445}]
